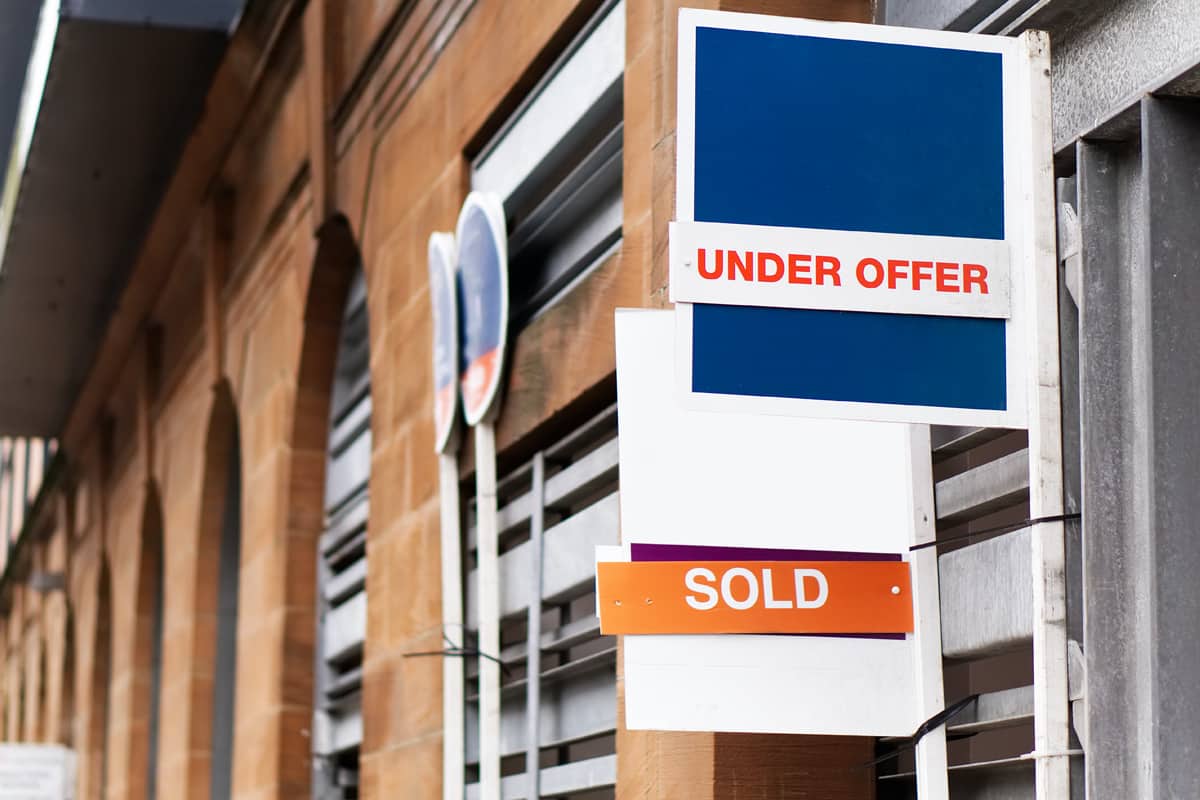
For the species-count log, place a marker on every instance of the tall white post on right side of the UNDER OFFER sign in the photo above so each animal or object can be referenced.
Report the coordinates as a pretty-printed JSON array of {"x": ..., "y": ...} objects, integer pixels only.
[{"x": 1051, "y": 694}]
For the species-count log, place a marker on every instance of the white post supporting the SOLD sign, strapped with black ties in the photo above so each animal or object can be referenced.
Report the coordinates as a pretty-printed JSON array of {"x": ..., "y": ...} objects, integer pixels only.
[{"x": 933, "y": 781}]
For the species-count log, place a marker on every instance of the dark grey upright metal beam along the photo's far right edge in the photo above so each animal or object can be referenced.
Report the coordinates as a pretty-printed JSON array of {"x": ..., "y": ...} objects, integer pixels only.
[{"x": 1171, "y": 135}]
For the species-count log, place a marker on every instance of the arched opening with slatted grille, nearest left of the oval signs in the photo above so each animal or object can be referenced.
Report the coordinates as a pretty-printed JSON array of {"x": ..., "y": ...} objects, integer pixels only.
[{"x": 343, "y": 567}]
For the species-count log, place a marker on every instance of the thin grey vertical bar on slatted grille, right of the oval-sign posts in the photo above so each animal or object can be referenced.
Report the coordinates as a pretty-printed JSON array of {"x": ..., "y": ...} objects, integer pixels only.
[{"x": 533, "y": 653}]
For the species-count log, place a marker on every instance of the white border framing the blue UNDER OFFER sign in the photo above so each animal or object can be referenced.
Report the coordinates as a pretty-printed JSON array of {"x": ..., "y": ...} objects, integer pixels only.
[{"x": 1028, "y": 160}]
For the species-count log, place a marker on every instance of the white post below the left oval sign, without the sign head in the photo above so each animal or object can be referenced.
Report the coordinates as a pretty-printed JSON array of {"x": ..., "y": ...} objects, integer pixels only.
[{"x": 453, "y": 695}]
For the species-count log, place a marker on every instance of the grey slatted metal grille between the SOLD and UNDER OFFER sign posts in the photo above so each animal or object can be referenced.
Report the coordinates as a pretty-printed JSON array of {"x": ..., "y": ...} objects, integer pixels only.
[{"x": 982, "y": 494}]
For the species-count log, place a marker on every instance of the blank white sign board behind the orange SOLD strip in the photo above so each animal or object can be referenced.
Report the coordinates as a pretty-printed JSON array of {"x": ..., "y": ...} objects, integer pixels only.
[{"x": 697, "y": 480}]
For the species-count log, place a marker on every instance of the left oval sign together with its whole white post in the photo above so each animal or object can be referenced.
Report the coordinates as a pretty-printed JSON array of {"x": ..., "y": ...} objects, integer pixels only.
[{"x": 445, "y": 299}]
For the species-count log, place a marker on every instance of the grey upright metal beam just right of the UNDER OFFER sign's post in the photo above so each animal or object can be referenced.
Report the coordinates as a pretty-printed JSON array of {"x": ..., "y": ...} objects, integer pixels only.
[{"x": 1117, "y": 621}]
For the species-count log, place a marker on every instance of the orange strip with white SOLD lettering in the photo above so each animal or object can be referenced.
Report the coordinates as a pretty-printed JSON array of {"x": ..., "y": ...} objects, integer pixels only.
[{"x": 754, "y": 598}]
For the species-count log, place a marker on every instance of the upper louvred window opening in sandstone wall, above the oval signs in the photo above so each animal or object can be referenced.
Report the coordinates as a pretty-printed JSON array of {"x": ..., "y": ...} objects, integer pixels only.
[{"x": 557, "y": 164}]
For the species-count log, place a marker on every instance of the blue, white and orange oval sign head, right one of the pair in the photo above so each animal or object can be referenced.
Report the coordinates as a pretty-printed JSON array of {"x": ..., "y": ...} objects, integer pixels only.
[{"x": 484, "y": 281}]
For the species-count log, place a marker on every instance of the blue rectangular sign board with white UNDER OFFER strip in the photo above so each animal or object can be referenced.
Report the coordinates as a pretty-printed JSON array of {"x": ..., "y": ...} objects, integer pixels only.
[{"x": 848, "y": 131}]
